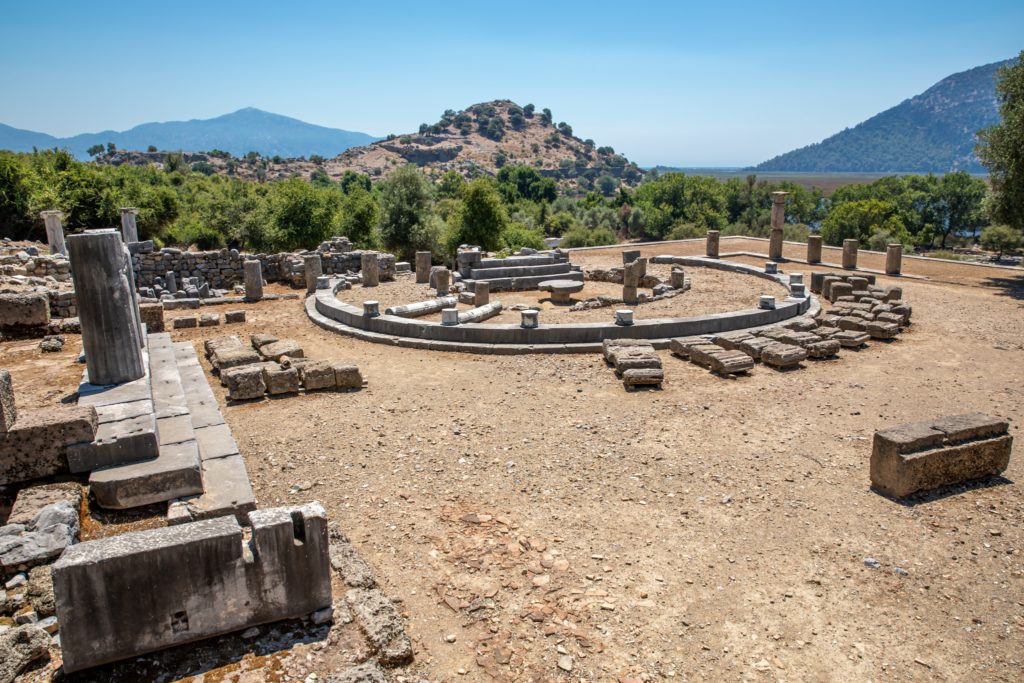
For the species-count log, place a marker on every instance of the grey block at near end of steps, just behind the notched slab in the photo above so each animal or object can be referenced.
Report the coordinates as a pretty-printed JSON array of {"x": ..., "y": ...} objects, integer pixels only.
[{"x": 176, "y": 474}]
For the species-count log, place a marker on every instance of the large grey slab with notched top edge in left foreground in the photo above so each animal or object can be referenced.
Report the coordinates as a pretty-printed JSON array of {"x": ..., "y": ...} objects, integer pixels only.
[{"x": 211, "y": 581}]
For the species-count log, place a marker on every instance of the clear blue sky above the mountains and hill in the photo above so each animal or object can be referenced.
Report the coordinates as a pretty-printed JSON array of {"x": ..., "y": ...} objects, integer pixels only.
[{"x": 674, "y": 83}]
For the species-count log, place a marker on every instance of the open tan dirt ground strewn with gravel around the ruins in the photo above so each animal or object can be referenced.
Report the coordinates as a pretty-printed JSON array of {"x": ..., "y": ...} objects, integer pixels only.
[{"x": 530, "y": 514}]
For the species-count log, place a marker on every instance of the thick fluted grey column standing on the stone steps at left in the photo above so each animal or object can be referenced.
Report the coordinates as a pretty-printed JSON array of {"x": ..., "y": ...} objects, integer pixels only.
[{"x": 106, "y": 308}]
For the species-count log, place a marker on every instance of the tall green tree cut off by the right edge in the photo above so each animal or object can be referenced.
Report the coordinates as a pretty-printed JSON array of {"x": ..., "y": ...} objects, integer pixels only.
[{"x": 1000, "y": 148}]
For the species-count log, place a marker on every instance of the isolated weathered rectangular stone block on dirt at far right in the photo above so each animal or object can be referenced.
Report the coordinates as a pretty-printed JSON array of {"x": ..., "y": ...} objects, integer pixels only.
[{"x": 928, "y": 455}]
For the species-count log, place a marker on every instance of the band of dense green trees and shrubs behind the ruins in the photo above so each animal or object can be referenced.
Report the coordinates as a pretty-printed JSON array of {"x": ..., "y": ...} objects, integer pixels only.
[{"x": 410, "y": 211}]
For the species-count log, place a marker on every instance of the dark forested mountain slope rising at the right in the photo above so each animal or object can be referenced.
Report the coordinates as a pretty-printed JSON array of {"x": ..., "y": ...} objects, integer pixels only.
[{"x": 933, "y": 132}]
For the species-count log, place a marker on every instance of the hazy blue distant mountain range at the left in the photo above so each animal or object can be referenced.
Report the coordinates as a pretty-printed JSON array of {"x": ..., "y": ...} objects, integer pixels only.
[{"x": 238, "y": 134}]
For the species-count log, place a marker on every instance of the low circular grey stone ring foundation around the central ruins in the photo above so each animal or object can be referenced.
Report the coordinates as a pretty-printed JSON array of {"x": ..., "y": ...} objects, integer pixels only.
[{"x": 325, "y": 310}]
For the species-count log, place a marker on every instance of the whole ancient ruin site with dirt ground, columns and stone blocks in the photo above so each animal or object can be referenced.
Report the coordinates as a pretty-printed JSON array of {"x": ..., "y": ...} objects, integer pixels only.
[{"x": 723, "y": 459}]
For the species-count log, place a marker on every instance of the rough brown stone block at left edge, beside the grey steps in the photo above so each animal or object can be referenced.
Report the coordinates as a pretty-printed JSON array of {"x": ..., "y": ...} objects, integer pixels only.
[{"x": 37, "y": 445}]
